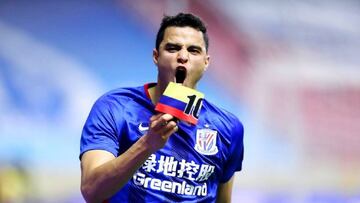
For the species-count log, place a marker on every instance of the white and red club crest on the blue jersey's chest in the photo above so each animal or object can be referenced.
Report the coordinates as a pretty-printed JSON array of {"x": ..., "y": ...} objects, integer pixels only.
[{"x": 206, "y": 141}]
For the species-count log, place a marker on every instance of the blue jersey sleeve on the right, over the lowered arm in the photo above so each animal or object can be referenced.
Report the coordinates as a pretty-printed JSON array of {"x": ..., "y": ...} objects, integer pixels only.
[{"x": 236, "y": 153}]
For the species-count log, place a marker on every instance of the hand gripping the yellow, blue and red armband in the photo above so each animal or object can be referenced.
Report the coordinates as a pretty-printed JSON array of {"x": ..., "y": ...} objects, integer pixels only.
[{"x": 160, "y": 129}]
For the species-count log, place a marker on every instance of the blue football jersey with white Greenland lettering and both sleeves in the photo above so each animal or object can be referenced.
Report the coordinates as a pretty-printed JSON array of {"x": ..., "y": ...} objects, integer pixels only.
[{"x": 191, "y": 165}]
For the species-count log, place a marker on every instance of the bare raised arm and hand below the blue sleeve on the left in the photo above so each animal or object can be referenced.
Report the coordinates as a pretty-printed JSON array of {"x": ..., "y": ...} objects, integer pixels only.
[{"x": 102, "y": 175}]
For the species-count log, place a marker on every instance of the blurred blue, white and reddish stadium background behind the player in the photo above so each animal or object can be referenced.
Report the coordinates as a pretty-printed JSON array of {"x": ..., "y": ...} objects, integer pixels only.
[{"x": 290, "y": 70}]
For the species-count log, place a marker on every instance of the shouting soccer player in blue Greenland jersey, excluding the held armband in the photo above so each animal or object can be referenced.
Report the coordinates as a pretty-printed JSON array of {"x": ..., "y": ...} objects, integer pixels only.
[{"x": 131, "y": 153}]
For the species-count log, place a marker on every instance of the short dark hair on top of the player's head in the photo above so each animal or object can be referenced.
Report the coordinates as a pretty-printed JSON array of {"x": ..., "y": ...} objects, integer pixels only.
[{"x": 182, "y": 20}]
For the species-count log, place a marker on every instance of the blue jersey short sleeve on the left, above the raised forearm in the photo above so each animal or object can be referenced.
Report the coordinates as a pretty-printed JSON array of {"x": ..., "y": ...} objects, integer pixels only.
[{"x": 100, "y": 131}]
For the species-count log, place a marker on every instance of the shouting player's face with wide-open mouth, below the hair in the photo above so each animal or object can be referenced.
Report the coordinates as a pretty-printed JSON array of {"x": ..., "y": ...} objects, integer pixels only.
[{"x": 182, "y": 56}]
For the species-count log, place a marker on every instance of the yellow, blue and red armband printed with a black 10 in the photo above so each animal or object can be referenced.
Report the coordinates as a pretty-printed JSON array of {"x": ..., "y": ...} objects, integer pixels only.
[{"x": 181, "y": 102}]
